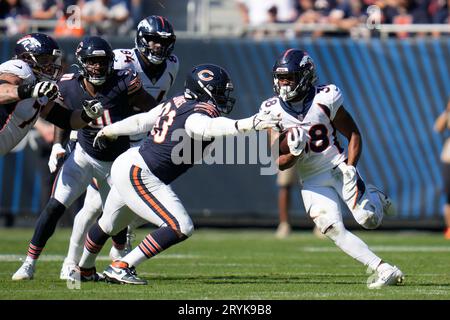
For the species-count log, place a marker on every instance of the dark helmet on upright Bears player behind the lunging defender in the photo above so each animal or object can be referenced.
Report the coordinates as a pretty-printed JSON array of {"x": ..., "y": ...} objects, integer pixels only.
[{"x": 96, "y": 59}]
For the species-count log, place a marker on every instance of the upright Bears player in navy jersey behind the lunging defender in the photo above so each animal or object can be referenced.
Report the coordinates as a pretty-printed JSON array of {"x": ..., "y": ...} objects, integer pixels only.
[{"x": 118, "y": 92}]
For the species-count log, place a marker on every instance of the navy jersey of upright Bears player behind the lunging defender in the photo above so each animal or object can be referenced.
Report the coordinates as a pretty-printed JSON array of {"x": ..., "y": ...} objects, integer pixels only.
[{"x": 114, "y": 98}]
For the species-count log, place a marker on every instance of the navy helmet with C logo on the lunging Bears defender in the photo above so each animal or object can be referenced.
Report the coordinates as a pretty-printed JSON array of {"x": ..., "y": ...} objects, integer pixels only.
[{"x": 212, "y": 84}]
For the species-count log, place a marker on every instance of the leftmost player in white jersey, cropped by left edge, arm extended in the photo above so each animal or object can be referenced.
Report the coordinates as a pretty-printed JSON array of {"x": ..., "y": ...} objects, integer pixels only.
[{"x": 27, "y": 91}]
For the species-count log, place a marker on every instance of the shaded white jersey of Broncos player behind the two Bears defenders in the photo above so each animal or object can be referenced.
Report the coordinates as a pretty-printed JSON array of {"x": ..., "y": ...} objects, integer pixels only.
[{"x": 157, "y": 85}]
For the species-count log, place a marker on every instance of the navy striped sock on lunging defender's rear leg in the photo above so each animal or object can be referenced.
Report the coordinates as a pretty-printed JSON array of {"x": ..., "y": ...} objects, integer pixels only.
[{"x": 95, "y": 240}]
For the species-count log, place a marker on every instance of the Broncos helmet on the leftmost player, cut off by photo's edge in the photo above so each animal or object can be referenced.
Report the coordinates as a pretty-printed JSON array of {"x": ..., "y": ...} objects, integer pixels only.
[{"x": 42, "y": 54}]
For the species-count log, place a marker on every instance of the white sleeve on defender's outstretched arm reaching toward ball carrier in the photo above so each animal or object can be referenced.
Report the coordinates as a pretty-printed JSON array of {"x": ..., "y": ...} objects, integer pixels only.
[{"x": 201, "y": 127}]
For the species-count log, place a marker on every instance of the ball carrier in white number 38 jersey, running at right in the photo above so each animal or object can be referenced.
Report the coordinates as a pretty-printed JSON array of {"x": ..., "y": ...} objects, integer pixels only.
[{"x": 313, "y": 115}]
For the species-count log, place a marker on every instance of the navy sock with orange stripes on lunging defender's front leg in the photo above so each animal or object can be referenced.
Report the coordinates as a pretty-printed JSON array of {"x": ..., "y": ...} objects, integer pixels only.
[{"x": 154, "y": 243}]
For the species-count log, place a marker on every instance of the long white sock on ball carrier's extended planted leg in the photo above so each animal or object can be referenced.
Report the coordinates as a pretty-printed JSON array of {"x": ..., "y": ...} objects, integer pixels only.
[{"x": 353, "y": 246}]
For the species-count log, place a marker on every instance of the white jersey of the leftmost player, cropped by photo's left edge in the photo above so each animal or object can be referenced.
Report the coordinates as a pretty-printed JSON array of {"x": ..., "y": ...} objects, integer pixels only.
[{"x": 17, "y": 118}]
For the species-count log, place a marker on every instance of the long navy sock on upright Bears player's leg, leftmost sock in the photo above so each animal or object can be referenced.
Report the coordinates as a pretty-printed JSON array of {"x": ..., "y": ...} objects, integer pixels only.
[{"x": 45, "y": 227}]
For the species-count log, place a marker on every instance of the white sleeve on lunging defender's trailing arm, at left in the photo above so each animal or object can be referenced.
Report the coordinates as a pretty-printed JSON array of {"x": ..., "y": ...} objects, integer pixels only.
[{"x": 139, "y": 123}]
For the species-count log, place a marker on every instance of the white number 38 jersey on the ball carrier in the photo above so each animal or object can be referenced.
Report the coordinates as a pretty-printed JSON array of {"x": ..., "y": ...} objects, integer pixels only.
[{"x": 323, "y": 151}]
